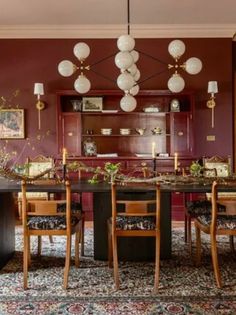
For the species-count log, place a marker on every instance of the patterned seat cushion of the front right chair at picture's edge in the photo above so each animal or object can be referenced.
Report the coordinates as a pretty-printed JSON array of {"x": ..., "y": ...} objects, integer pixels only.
[{"x": 223, "y": 221}]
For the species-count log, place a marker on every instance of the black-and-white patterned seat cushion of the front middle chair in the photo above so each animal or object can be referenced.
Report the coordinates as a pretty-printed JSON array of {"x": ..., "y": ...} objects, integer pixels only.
[{"x": 135, "y": 222}]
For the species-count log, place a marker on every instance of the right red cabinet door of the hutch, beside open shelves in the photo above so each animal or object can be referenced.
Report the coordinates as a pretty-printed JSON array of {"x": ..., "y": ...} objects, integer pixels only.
[{"x": 181, "y": 133}]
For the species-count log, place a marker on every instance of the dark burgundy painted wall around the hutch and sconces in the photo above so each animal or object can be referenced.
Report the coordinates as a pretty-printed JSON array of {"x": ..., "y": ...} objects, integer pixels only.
[{"x": 25, "y": 61}]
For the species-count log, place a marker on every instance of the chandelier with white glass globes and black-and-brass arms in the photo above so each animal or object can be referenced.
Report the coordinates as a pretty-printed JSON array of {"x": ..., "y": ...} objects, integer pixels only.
[{"x": 126, "y": 59}]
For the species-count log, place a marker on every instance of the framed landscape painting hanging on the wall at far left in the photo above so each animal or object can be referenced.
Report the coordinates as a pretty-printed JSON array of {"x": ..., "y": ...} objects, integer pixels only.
[{"x": 12, "y": 124}]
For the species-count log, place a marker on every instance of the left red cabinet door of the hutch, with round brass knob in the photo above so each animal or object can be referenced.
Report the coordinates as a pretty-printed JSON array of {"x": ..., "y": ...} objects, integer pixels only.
[{"x": 71, "y": 133}]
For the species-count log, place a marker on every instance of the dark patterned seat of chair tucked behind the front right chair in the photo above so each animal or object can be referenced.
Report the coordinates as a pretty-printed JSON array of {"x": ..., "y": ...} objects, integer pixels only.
[{"x": 199, "y": 207}]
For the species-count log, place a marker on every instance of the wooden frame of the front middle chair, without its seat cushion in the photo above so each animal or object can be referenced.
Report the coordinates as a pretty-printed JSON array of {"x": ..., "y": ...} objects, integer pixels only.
[{"x": 133, "y": 208}]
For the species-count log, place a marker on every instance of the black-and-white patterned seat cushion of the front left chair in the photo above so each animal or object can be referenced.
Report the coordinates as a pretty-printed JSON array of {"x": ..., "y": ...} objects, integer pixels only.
[{"x": 50, "y": 222}]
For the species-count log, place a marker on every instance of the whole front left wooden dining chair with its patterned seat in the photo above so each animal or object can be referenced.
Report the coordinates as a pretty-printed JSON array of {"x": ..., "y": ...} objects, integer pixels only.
[{"x": 49, "y": 217}]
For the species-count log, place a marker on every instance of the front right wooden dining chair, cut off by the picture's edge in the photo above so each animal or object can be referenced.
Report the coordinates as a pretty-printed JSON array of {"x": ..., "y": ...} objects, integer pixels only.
[{"x": 215, "y": 223}]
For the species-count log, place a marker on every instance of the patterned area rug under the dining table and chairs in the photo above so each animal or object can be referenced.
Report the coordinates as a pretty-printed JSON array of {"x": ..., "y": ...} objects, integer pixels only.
[{"x": 184, "y": 288}]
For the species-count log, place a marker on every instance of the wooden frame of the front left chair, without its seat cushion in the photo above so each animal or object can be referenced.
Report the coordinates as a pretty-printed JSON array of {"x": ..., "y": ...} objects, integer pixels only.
[{"x": 48, "y": 208}]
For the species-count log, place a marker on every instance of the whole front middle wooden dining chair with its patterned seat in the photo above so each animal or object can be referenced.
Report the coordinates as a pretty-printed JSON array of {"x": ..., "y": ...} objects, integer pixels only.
[{"x": 133, "y": 218}]
